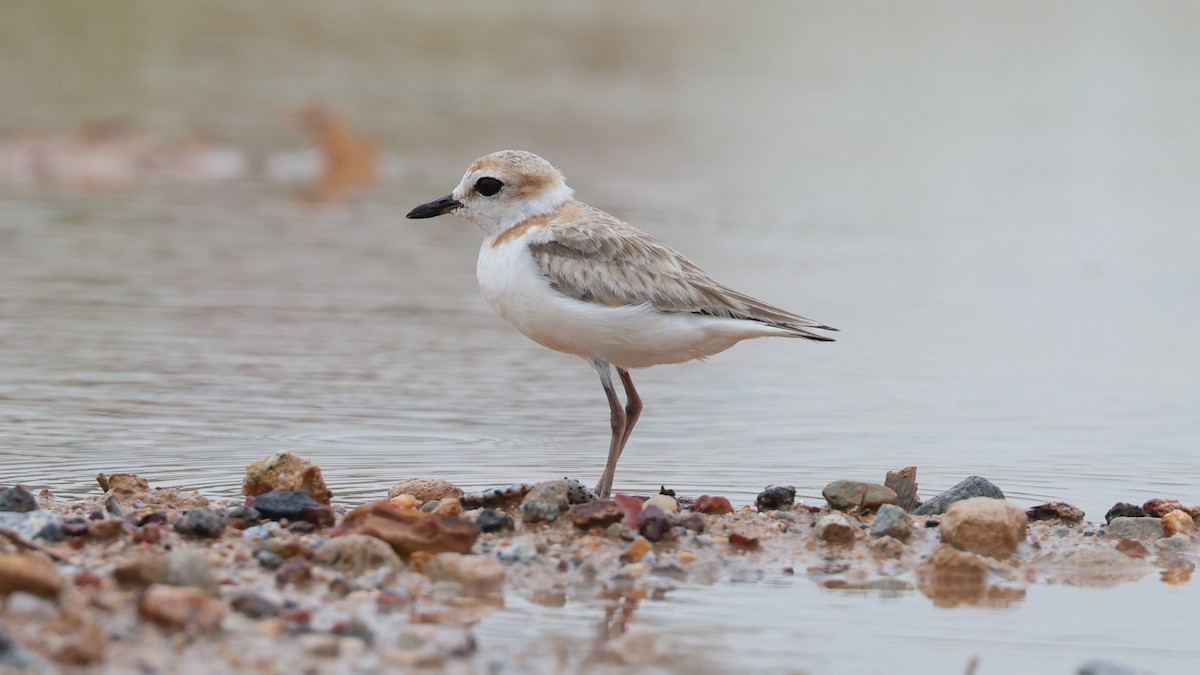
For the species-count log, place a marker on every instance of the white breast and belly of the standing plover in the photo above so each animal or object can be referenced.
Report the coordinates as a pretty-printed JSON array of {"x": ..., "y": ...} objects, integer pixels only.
[{"x": 628, "y": 337}]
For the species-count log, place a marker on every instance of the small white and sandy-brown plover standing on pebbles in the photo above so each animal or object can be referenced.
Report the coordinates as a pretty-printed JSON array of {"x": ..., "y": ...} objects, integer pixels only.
[{"x": 578, "y": 280}]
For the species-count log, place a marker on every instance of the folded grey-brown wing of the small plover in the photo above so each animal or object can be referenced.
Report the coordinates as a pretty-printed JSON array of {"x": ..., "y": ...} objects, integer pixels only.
[{"x": 598, "y": 259}]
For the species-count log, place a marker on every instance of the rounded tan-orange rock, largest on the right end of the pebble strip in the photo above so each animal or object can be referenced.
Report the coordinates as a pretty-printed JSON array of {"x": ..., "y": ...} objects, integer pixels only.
[{"x": 985, "y": 525}]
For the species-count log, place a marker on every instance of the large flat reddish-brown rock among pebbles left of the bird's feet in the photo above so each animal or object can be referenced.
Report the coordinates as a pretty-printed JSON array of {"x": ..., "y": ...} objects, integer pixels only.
[{"x": 410, "y": 531}]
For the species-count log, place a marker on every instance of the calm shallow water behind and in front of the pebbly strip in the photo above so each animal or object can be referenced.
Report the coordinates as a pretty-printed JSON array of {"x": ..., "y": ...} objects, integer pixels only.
[{"x": 1005, "y": 236}]
